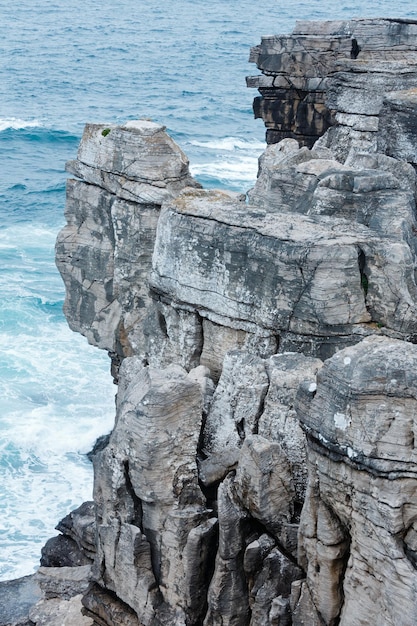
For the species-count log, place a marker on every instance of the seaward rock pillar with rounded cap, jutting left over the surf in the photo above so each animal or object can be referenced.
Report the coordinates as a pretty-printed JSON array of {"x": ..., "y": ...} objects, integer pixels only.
[{"x": 104, "y": 252}]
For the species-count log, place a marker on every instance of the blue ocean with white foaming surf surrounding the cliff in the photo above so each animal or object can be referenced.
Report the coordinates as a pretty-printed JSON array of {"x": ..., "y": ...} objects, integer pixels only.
[{"x": 63, "y": 64}]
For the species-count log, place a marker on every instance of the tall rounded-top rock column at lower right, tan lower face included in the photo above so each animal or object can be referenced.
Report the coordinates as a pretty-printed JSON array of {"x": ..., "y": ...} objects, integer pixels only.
[{"x": 357, "y": 525}]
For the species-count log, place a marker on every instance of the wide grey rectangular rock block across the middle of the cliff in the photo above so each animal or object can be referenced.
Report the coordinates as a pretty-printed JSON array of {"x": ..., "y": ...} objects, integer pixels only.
[{"x": 279, "y": 299}]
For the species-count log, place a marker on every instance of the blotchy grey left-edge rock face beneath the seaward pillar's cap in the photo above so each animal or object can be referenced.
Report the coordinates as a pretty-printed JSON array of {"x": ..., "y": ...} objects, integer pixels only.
[{"x": 85, "y": 258}]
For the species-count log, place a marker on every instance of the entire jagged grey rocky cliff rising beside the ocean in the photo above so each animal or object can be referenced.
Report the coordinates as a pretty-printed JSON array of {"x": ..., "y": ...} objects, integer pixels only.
[{"x": 262, "y": 469}]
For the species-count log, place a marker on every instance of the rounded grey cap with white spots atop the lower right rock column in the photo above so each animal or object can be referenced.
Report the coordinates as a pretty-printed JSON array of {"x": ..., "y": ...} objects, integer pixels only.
[{"x": 376, "y": 380}]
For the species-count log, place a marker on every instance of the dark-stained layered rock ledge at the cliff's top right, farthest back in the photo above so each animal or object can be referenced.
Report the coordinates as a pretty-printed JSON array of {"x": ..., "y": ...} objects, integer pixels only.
[{"x": 333, "y": 74}]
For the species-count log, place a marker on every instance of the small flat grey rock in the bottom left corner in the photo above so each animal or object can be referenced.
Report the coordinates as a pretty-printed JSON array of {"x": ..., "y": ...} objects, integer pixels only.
[{"x": 17, "y": 597}]
